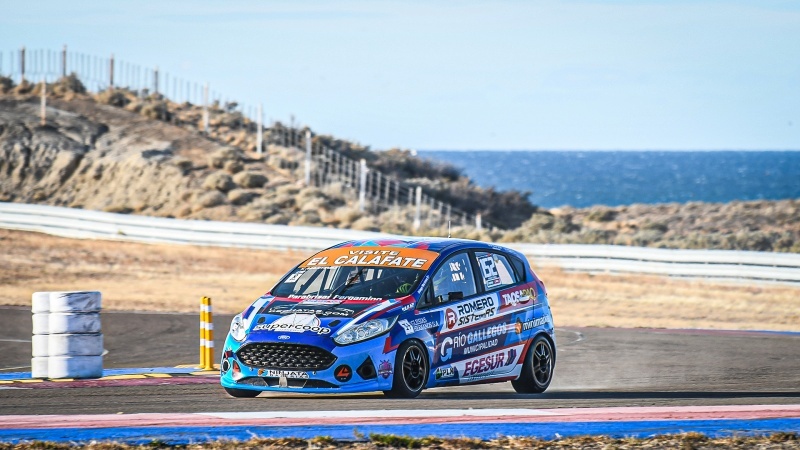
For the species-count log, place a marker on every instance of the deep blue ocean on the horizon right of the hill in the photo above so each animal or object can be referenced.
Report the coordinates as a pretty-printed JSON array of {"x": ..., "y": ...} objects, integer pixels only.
[{"x": 586, "y": 178}]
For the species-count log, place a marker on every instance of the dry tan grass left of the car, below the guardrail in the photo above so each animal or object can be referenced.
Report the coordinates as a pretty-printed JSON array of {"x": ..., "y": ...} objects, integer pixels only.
[{"x": 133, "y": 276}]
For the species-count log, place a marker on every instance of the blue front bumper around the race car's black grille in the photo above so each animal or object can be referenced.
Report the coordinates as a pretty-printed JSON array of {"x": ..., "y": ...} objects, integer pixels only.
[{"x": 361, "y": 367}]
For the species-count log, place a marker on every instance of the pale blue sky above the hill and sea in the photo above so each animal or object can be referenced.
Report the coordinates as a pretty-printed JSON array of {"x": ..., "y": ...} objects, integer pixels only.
[{"x": 528, "y": 75}]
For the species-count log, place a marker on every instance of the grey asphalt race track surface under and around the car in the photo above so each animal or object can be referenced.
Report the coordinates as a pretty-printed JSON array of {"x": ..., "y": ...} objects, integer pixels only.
[{"x": 596, "y": 367}]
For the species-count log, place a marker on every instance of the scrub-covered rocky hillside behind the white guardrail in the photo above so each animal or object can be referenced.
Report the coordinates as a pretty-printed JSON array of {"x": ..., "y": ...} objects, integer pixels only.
[{"x": 121, "y": 152}]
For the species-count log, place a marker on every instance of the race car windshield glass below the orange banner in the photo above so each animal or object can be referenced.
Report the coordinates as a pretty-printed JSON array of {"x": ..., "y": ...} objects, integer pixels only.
[{"x": 349, "y": 282}]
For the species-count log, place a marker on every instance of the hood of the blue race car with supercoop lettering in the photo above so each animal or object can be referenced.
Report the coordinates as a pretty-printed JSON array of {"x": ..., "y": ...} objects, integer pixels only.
[{"x": 307, "y": 318}]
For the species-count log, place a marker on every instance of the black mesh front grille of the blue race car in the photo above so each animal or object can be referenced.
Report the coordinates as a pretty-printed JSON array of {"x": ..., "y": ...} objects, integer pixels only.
[{"x": 285, "y": 356}]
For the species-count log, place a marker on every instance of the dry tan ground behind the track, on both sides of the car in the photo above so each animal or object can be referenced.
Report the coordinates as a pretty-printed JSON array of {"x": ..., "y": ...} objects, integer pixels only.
[{"x": 158, "y": 277}]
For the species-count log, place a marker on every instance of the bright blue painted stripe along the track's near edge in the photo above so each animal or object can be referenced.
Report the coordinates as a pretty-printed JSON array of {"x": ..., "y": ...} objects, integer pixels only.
[{"x": 544, "y": 430}]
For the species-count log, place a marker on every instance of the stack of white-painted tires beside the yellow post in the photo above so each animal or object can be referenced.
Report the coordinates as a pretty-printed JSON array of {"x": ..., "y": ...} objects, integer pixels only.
[{"x": 67, "y": 342}]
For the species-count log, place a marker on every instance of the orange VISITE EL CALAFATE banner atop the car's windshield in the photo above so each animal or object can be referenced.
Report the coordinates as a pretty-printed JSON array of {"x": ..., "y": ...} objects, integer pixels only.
[{"x": 411, "y": 258}]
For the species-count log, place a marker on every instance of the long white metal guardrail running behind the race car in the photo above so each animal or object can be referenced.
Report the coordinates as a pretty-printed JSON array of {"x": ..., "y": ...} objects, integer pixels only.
[{"x": 80, "y": 223}]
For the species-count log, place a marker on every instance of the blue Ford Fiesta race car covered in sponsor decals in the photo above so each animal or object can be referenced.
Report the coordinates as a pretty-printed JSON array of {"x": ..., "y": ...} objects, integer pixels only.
[{"x": 396, "y": 316}]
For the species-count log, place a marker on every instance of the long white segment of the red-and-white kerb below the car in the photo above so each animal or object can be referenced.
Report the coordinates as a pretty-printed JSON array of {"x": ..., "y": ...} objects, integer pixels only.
[{"x": 380, "y": 413}]
